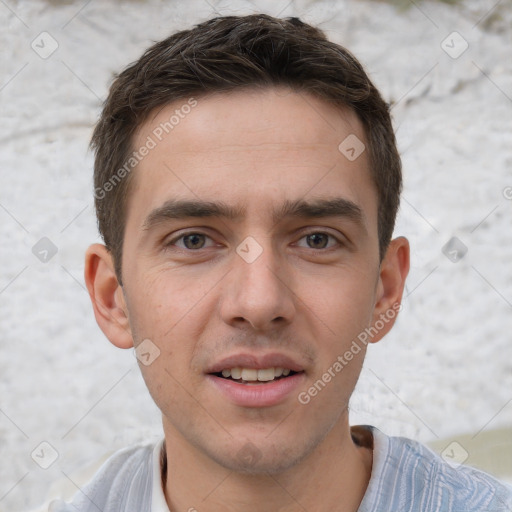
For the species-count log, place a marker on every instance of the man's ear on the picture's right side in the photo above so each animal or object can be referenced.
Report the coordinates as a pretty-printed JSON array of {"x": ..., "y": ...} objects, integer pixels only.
[{"x": 390, "y": 287}]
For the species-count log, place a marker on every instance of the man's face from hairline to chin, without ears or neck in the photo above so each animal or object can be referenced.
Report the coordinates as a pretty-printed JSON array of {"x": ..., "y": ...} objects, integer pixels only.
[{"x": 251, "y": 244}]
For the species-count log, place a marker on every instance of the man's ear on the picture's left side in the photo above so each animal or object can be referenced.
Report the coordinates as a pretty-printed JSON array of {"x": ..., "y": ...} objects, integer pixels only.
[{"x": 107, "y": 296}]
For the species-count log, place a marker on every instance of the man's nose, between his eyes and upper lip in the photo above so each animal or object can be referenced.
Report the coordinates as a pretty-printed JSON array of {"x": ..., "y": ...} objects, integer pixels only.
[{"x": 258, "y": 292}]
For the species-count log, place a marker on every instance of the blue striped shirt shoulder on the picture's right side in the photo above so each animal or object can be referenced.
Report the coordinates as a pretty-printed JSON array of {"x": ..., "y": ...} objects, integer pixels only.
[{"x": 409, "y": 475}]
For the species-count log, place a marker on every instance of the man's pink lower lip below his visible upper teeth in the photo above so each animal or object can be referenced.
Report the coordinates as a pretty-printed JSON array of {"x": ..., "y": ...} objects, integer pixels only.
[{"x": 265, "y": 394}]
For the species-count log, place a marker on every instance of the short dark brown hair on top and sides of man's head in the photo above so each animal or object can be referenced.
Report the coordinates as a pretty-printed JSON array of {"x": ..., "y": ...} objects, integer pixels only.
[{"x": 227, "y": 53}]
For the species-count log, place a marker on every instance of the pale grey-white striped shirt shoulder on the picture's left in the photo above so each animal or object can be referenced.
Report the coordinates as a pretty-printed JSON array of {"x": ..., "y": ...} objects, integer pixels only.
[{"x": 123, "y": 482}]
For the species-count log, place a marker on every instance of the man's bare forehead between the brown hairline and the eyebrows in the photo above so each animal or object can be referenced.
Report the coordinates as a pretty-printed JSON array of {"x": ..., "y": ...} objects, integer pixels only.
[{"x": 271, "y": 145}]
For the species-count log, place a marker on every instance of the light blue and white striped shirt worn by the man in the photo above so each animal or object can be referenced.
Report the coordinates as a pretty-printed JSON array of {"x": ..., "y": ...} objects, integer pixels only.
[{"x": 406, "y": 477}]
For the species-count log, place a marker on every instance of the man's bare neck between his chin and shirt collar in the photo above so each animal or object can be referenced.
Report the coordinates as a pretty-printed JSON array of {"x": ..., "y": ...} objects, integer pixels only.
[{"x": 333, "y": 477}]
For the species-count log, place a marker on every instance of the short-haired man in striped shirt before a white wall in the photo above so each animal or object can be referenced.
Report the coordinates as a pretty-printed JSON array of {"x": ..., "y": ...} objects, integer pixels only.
[{"x": 247, "y": 182}]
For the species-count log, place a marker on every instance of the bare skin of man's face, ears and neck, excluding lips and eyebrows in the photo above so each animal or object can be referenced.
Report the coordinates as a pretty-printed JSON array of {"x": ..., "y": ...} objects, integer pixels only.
[{"x": 306, "y": 297}]
